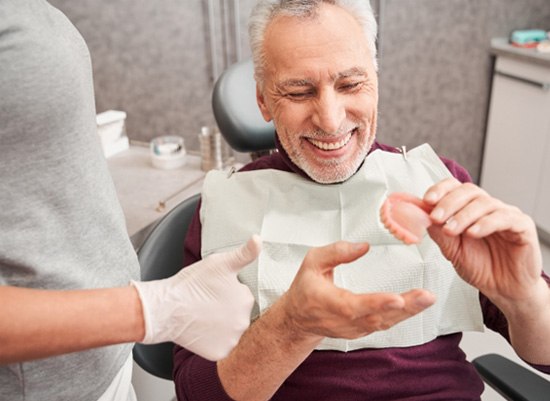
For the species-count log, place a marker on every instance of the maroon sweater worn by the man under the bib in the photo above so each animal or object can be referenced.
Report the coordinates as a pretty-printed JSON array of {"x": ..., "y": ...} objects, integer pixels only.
[{"x": 437, "y": 370}]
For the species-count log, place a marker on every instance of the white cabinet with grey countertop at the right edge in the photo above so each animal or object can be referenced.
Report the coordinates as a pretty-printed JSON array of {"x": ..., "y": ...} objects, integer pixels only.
[{"x": 516, "y": 161}]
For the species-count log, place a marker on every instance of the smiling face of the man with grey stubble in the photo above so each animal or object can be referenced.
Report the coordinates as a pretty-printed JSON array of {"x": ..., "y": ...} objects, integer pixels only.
[{"x": 321, "y": 91}]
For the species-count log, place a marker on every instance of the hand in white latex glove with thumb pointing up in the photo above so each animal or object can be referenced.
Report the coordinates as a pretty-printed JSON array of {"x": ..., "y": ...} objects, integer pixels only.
[{"x": 203, "y": 308}]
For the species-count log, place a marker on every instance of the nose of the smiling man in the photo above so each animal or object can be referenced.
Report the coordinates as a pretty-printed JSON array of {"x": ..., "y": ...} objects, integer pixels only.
[{"x": 329, "y": 112}]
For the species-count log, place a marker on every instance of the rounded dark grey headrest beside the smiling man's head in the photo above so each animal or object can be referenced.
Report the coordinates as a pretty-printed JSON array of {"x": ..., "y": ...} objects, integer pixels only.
[{"x": 237, "y": 113}]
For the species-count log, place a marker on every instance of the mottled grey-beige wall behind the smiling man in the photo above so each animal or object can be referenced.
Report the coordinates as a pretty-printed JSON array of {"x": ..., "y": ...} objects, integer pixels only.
[{"x": 153, "y": 60}]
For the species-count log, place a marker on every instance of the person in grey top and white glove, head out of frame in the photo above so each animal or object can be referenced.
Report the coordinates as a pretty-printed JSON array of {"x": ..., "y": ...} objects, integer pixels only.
[{"x": 67, "y": 267}]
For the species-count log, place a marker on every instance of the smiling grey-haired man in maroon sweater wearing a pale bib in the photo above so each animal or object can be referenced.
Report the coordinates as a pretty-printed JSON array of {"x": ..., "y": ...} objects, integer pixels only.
[{"x": 322, "y": 334}]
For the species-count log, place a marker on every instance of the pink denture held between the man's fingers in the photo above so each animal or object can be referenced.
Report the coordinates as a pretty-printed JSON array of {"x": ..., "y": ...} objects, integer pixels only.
[{"x": 406, "y": 217}]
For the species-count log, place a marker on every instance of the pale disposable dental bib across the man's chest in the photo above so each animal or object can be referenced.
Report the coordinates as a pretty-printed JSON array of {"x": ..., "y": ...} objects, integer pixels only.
[{"x": 293, "y": 214}]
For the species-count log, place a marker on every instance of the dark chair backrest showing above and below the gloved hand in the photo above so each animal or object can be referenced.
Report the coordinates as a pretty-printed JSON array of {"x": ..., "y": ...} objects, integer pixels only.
[{"x": 161, "y": 256}]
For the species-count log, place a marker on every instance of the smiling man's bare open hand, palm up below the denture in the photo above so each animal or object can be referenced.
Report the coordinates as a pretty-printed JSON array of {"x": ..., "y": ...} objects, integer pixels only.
[{"x": 315, "y": 307}]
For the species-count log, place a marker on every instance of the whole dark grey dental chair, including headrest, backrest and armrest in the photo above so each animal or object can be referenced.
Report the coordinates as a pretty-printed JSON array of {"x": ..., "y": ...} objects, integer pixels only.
[{"x": 161, "y": 254}]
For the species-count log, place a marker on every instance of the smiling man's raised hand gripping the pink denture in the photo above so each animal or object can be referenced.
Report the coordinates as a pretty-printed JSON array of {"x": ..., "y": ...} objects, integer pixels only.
[{"x": 492, "y": 245}]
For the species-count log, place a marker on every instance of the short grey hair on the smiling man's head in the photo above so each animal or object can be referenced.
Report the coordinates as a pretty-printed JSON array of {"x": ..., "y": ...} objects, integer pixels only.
[{"x": 265, "y": 11}]
